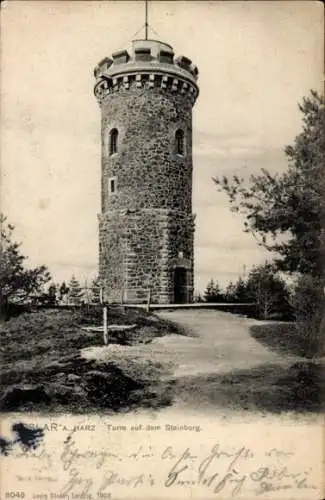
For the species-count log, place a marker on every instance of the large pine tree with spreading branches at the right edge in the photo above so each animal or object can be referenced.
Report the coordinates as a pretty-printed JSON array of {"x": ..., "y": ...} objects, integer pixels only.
[{"x": 286, "y": 212}]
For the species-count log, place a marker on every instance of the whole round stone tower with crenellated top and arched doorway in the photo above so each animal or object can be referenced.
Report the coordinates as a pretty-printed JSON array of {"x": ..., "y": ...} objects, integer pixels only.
[{"x": 146, "y": 226}]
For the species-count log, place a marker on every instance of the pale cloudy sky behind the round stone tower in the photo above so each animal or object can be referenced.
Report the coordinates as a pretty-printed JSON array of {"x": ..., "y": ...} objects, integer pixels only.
[{"x": 256, "y": 61}]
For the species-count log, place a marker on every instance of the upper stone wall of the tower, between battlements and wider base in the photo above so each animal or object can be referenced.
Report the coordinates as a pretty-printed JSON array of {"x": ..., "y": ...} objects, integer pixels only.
[{"x": 150, "y": 174}]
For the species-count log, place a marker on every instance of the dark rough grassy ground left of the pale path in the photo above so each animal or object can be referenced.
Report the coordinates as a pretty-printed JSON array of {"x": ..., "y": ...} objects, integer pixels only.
[{"x": 41, "y": 367}]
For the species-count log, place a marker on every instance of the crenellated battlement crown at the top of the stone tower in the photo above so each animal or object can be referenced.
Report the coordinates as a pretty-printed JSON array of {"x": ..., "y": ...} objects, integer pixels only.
[{"x": 149, "y": 63}]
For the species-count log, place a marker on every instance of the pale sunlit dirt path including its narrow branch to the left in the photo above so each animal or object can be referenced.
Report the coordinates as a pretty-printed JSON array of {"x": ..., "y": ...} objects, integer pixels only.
[{"x": 219, "y": 342}]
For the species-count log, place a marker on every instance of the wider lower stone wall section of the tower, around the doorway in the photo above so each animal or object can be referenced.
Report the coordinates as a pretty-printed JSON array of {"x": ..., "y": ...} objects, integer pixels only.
[{"x": 140, "y": 249}]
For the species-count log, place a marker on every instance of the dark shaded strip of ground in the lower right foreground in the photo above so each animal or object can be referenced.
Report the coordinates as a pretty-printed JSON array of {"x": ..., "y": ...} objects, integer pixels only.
[{"x": 268, "y": 388}]
